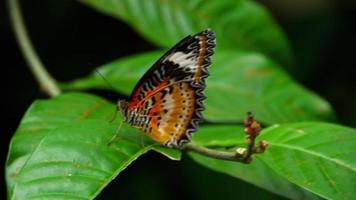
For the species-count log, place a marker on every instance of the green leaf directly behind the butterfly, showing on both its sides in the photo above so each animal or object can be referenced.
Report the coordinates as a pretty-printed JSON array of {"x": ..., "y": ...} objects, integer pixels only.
[{"x": 239, "y": 82}]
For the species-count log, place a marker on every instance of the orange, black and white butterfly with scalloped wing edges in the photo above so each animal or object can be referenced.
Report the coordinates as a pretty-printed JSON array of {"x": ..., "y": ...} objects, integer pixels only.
[{"x": 167, "y": 102}]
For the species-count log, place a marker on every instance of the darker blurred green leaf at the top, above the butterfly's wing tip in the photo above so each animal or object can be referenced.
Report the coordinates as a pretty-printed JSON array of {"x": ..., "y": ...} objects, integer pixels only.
[{"x": 238, "y": 24}]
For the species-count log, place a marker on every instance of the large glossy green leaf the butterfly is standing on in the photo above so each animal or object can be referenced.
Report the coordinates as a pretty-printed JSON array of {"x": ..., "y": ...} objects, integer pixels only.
[{"x": 60, "y": 149}]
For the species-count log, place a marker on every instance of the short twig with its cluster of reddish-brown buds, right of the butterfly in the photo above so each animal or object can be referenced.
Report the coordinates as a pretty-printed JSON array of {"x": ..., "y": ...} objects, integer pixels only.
[{"x": 243, "y": 155}]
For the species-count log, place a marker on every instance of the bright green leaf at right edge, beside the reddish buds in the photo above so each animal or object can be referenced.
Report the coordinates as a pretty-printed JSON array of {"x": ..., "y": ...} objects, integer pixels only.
[{"x": 316, "y": 156}]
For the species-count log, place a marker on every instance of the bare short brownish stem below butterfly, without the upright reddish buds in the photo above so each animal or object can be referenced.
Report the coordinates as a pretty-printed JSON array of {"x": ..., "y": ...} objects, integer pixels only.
[{"x": 238, "y": 156}]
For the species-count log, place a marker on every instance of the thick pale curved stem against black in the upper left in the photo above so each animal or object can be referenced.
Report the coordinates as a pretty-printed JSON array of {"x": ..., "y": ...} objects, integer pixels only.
[{"x": 45, "y": 80}]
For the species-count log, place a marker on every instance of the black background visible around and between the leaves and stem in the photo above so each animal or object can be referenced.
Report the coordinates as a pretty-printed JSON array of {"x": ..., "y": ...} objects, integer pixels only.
[{"x": 72, "y": 39}]
